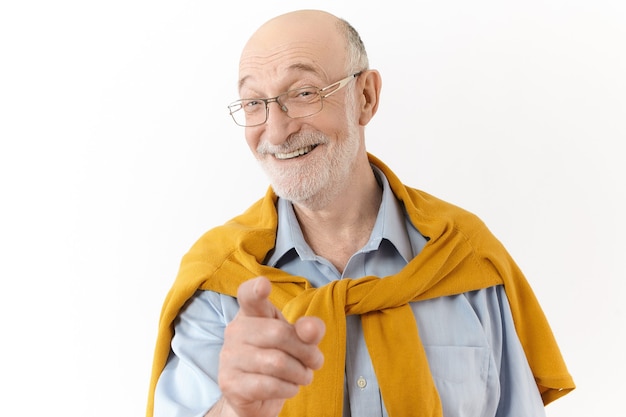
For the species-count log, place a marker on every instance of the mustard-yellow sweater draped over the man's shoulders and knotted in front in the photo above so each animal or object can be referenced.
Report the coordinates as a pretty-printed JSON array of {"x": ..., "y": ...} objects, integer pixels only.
[{"x": 461, "y": 255}]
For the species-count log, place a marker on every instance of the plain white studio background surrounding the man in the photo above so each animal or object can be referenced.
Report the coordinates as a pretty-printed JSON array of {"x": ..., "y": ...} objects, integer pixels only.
[{"x": 117, "y": 153}]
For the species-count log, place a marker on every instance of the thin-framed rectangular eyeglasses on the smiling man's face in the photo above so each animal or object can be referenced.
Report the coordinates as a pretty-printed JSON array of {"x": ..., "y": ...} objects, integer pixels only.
[{"x": 296, "y": 103}]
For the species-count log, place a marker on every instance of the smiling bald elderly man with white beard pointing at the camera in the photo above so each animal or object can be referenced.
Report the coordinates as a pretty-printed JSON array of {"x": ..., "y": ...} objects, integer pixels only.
[{"x": 342, "y": 291}]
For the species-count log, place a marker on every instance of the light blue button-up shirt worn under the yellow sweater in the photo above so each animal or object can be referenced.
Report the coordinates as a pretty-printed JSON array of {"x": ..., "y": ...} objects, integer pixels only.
[{"x": 474, "y": 354}]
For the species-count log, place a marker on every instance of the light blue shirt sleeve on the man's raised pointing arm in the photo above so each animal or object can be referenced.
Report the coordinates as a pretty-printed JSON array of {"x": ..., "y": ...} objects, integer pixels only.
[{"x": 188, "y": 387}]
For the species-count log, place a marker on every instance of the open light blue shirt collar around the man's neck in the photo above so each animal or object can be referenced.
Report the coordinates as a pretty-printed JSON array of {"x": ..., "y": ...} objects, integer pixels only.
[{"x": 391, "y": 224}]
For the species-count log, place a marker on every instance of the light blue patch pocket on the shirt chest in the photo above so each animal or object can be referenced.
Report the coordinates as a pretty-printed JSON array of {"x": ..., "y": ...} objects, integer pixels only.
[{"x": 461, "y": 375}]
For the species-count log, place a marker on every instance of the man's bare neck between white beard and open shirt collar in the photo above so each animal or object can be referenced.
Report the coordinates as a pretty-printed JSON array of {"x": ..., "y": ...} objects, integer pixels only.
[{"x": 343, "y": 226}]
